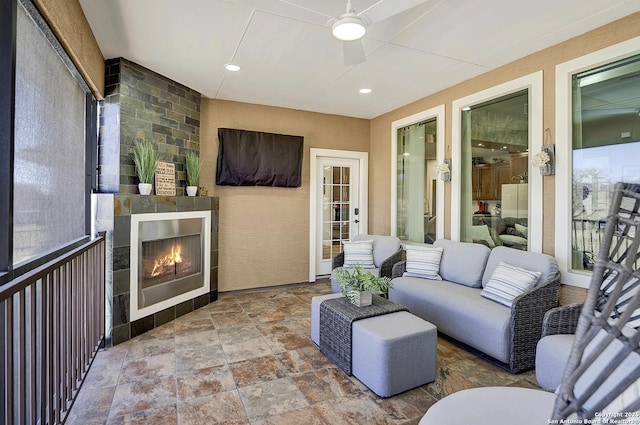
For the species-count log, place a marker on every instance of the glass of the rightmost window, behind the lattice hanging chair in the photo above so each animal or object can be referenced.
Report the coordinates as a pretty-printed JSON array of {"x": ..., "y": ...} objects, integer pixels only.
[{"x": 606, "y": 148}]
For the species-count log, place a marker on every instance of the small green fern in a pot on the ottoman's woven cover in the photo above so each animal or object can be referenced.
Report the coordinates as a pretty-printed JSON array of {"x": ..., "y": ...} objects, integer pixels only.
[{"x": 357, "y": 286}]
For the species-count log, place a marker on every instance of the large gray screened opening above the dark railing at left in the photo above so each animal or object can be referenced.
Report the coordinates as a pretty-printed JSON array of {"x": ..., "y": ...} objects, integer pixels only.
[{"x": 53, "y": 139}]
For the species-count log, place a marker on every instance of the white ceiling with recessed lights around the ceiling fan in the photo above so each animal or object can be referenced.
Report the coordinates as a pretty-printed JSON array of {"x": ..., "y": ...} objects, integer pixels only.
[{"x": 289, "y": 58}]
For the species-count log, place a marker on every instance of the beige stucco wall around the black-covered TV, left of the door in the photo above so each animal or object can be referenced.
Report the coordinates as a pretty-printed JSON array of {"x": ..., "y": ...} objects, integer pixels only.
[{"x": 264, "y": 231}]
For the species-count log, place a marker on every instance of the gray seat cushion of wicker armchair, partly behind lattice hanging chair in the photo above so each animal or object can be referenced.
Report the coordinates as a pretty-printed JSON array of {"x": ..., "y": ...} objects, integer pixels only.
[{"x": 552, "y": 353}]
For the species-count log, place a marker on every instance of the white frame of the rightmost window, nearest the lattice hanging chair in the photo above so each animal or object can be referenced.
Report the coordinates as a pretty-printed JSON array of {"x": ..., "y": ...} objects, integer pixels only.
[{"x": 564, "y": 73}]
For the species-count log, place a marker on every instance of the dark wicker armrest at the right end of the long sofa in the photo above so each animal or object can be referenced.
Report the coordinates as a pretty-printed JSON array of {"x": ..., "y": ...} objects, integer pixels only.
[{"x": 527, "y": 314}]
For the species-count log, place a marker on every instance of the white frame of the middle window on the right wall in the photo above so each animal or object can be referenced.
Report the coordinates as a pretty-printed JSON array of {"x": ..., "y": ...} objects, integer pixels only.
[{"x": 534, "y": 84}]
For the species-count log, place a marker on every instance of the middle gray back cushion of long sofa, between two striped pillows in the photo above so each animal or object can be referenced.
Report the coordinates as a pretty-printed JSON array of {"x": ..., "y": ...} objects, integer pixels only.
[{"x": 463, "y": 262}]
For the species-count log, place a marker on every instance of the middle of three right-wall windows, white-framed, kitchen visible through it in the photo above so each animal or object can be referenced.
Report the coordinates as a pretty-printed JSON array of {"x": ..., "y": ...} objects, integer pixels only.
[{"x": 465, "y": 196}]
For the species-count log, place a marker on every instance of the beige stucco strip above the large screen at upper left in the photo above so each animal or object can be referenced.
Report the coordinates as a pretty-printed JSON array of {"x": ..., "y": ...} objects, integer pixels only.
[{"x": 67, "y": 20}]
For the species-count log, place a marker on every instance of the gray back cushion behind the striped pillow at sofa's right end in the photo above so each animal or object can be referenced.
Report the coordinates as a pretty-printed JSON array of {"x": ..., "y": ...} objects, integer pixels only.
[{"x": 543, "y": 263}]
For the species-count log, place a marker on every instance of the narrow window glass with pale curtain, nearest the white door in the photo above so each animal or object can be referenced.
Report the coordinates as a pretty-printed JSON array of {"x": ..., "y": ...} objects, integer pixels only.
[{"x": 416, "y": 191}]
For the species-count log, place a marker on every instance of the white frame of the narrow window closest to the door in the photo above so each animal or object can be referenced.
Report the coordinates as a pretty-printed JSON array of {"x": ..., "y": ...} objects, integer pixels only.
[{"x": 437, "y": 113}]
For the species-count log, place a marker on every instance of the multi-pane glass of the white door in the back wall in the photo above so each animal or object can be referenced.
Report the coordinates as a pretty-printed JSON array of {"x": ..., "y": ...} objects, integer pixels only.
[{"x": 335, "y": 212}]
